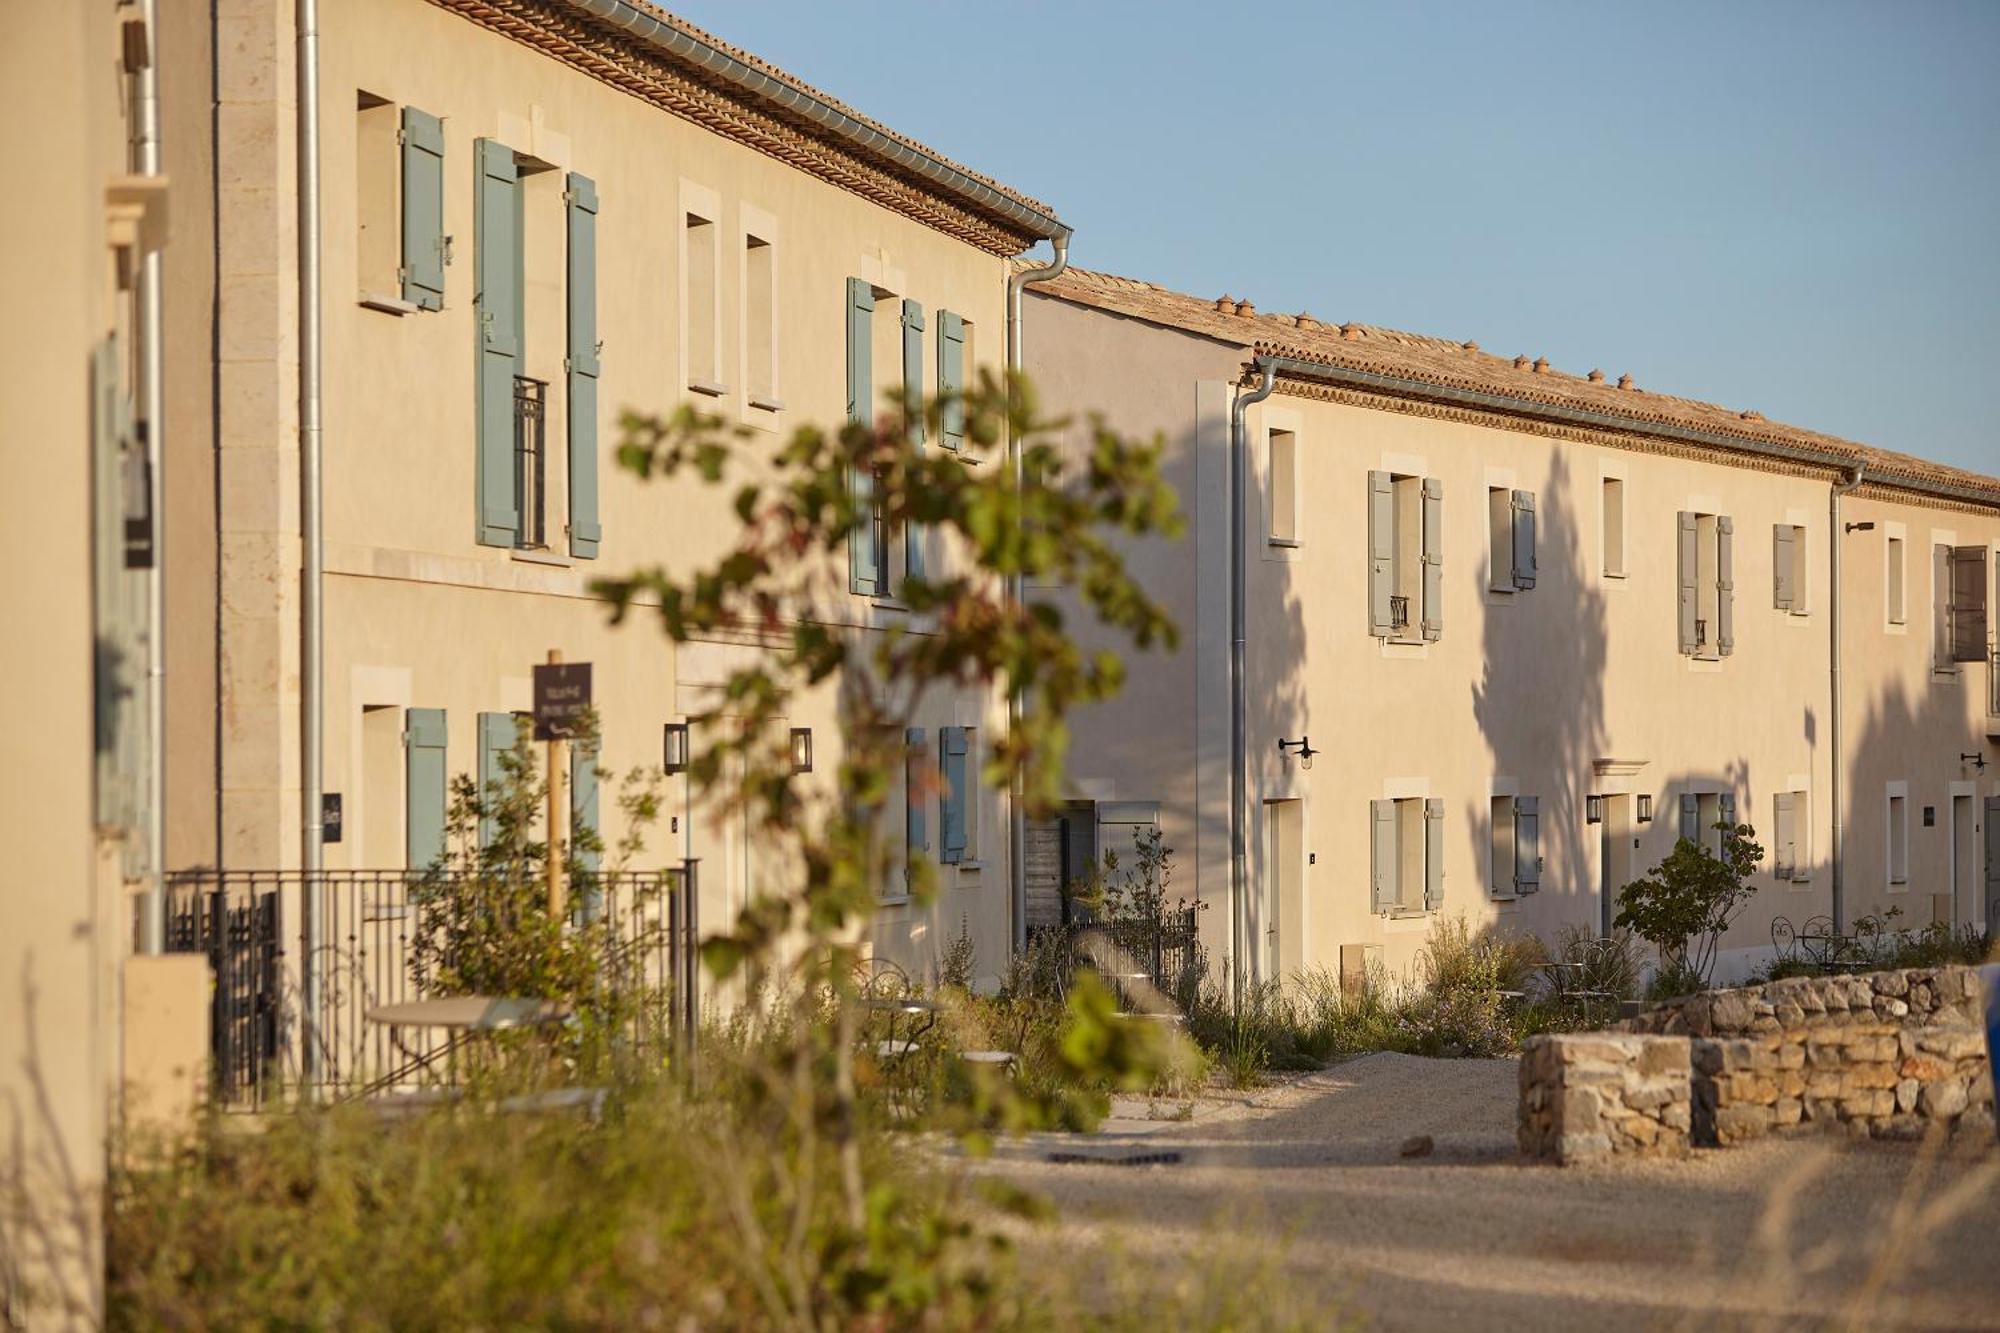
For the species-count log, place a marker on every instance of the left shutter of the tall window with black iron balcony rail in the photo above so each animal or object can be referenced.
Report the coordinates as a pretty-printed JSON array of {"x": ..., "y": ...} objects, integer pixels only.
[{"x": 497, "y": 303}]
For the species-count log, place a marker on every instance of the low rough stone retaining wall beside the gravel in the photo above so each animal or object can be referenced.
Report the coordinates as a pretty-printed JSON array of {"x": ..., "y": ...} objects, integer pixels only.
[{"x": 1881, "y": 1056}]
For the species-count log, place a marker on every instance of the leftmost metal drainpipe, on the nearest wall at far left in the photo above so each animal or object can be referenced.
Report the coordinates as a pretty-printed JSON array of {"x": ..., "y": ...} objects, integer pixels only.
[{"x": 147, "y": 163}]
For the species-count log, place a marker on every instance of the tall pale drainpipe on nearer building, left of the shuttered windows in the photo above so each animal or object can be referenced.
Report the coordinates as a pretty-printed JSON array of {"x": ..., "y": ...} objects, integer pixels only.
[{"x": 313, "y": 551}]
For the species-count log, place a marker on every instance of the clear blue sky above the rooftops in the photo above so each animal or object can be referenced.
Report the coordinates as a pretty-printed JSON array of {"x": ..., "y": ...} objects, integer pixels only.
[{"x": 1789, "y": 207}]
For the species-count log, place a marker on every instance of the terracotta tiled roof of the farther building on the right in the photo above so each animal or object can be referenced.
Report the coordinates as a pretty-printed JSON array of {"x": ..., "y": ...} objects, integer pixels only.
[{"x": 1463, "y": 365}]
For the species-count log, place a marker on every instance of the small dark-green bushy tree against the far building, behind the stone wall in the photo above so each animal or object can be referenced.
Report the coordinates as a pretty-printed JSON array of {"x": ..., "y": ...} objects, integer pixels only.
[{"x": 1687, "y": 902}]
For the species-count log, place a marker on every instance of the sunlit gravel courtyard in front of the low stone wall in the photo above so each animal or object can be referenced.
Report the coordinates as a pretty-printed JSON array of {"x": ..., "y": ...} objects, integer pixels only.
[{"x": 1311, "y": 1178}]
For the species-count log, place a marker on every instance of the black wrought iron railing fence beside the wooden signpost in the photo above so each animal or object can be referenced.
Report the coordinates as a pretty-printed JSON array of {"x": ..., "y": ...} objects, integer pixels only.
[{"x": 247, "y": 924}]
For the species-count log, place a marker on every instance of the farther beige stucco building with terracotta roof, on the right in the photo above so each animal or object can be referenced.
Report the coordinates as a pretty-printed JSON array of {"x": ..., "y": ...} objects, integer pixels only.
[{"x": 1535, "y": 627}]
